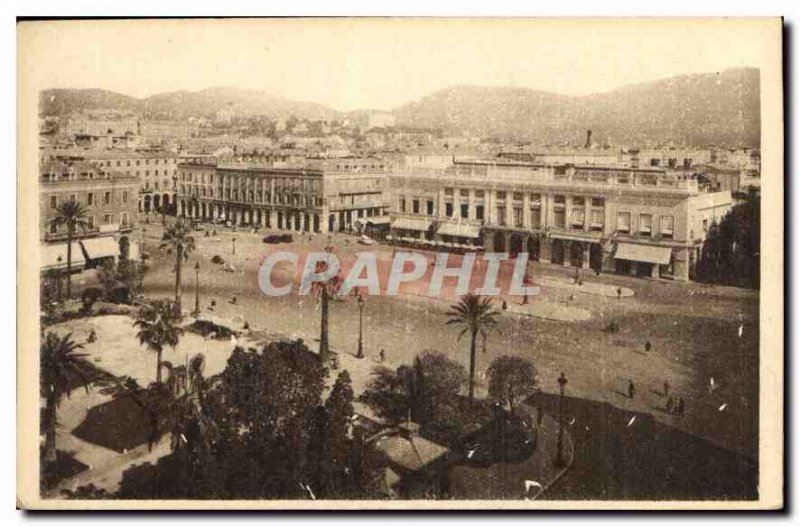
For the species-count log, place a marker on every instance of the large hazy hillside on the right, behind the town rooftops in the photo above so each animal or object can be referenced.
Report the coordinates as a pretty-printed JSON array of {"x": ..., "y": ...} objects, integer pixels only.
[{"x": 714, "y": 108}]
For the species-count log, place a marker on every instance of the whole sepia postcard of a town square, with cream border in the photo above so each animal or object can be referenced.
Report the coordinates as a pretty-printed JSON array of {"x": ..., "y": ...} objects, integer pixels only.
[{"x": 400, "y": 263}]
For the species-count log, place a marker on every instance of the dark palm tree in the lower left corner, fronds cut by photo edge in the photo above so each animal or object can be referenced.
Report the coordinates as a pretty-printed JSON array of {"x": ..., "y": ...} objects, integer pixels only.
[{"x": 60, "y": 365}]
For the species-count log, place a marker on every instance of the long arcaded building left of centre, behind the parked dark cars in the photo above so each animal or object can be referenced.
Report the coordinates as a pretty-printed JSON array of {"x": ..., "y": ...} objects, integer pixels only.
[{"x": 321, "y": 195}]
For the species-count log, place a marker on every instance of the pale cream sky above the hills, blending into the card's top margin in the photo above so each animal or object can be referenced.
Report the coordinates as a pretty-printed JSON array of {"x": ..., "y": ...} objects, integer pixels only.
[{"x": 380, "y": 63}]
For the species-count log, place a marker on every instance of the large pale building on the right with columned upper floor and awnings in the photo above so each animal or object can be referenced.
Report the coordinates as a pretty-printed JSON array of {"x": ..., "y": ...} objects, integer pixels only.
[{"x": 643, "y": 221}]
